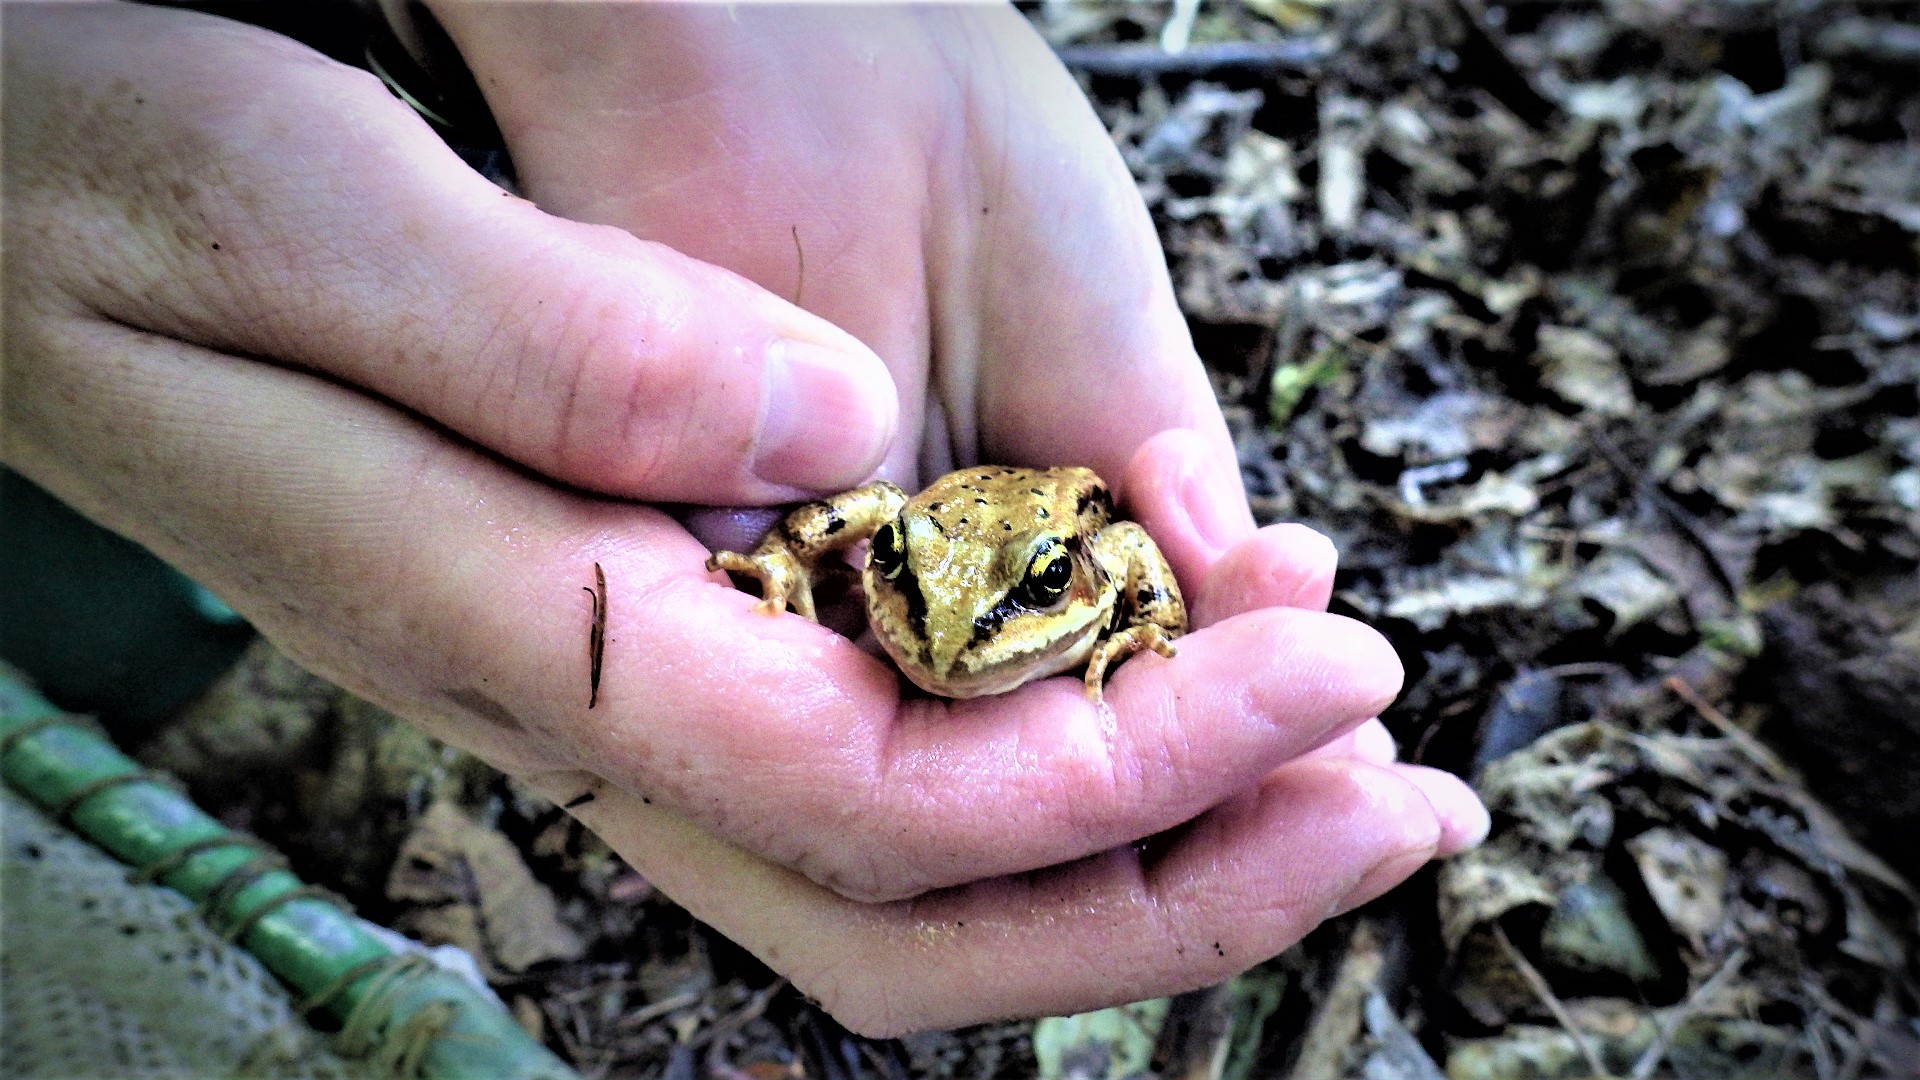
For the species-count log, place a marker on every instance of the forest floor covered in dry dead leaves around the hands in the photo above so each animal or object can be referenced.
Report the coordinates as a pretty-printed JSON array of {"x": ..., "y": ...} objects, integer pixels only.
[{"x": 1591, "y": 331}]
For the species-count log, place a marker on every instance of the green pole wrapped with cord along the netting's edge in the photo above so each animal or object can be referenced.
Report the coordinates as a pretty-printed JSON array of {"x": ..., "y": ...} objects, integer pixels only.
[{"x": 412, "y": 1018}]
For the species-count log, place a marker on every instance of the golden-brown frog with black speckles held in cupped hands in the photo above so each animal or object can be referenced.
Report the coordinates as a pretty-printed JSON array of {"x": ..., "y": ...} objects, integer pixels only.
[{"x": 988, "y": 579}]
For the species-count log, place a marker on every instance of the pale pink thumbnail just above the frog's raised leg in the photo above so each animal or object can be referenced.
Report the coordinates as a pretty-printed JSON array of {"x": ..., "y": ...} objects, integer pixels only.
[{"x": 827, "y": 416}]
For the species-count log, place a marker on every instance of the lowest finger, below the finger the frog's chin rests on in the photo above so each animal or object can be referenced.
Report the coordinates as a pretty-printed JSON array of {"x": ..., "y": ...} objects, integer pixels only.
[{"x": 1234, "y": 889}]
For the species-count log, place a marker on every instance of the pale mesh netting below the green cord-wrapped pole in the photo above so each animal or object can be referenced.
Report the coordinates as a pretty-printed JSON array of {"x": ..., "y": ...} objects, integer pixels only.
[{"x": 101, "y": 977}]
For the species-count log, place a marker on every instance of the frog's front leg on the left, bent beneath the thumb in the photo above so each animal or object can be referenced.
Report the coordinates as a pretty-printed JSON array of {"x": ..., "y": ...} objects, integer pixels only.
[{"x": 790, "y": 554}]
